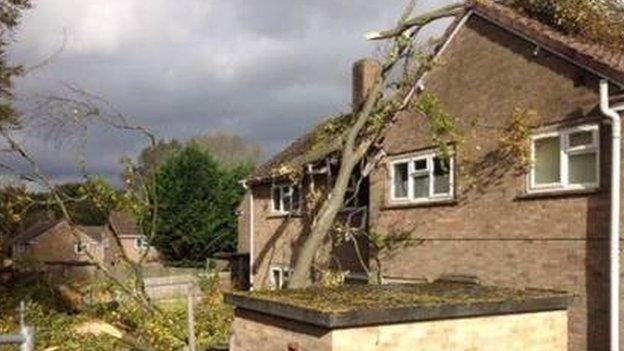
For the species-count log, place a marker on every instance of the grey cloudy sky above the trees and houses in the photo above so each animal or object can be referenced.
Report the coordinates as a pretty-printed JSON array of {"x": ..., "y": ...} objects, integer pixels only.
[{"x": 266, "y": 70}]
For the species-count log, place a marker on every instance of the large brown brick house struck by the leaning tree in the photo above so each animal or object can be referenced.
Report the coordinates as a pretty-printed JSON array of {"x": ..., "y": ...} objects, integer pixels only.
[{"x": 546, "y": 226}]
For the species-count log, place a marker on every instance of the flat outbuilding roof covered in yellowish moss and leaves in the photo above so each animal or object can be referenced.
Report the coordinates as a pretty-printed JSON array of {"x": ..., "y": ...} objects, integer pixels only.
[{"x": 358, "y": 305}]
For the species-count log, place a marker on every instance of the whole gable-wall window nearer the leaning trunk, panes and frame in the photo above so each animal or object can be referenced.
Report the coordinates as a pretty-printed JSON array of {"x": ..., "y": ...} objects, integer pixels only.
[{"x": 422, "y": 178}]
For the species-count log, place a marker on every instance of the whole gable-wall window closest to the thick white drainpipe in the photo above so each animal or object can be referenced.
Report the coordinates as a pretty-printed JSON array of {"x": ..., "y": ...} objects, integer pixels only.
[{"x": 565, "y": 160}]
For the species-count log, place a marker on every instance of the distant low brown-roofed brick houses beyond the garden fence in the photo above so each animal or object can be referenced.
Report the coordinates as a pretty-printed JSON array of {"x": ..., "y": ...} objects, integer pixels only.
[{"x": 50, "y": 245}]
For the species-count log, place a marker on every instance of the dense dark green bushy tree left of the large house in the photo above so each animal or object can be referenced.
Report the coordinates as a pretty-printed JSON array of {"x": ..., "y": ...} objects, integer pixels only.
[{"x": 196, "y": 212}]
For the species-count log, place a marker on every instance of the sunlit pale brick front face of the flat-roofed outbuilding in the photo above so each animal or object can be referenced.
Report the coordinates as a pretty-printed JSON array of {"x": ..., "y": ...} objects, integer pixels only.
[{"x": 545, "y": 331}]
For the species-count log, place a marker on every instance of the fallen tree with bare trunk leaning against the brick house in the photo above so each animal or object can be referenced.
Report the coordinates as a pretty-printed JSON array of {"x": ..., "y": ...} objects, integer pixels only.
[{"x": 385, "y": 99}]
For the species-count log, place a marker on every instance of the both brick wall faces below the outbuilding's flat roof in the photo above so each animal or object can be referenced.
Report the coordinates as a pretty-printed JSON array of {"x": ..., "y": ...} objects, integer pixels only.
[{"x": 542, "y": 331}]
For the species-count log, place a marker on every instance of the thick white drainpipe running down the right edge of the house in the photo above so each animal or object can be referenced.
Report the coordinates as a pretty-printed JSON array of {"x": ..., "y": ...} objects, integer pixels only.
[{"x": 616, "y": 131}]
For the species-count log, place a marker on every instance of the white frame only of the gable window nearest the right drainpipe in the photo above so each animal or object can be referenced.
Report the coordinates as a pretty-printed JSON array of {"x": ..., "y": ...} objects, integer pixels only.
[{"x": 565, "y": 151}]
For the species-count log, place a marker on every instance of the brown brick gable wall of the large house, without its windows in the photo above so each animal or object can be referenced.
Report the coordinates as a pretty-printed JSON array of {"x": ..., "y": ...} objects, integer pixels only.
[{"x": 495, "y": 233}]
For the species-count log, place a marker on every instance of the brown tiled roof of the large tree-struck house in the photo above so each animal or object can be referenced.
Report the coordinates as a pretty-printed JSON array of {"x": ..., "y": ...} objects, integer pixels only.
[{"x": 599, "y": 58}]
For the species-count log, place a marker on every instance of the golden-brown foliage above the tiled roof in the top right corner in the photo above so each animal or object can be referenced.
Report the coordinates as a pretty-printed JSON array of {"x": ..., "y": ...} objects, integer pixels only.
[{"x": 601, "y": 21}]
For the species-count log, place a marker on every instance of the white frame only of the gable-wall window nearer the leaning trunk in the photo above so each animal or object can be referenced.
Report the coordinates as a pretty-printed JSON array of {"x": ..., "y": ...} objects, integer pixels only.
[{"x": 429, "y": 156}]
